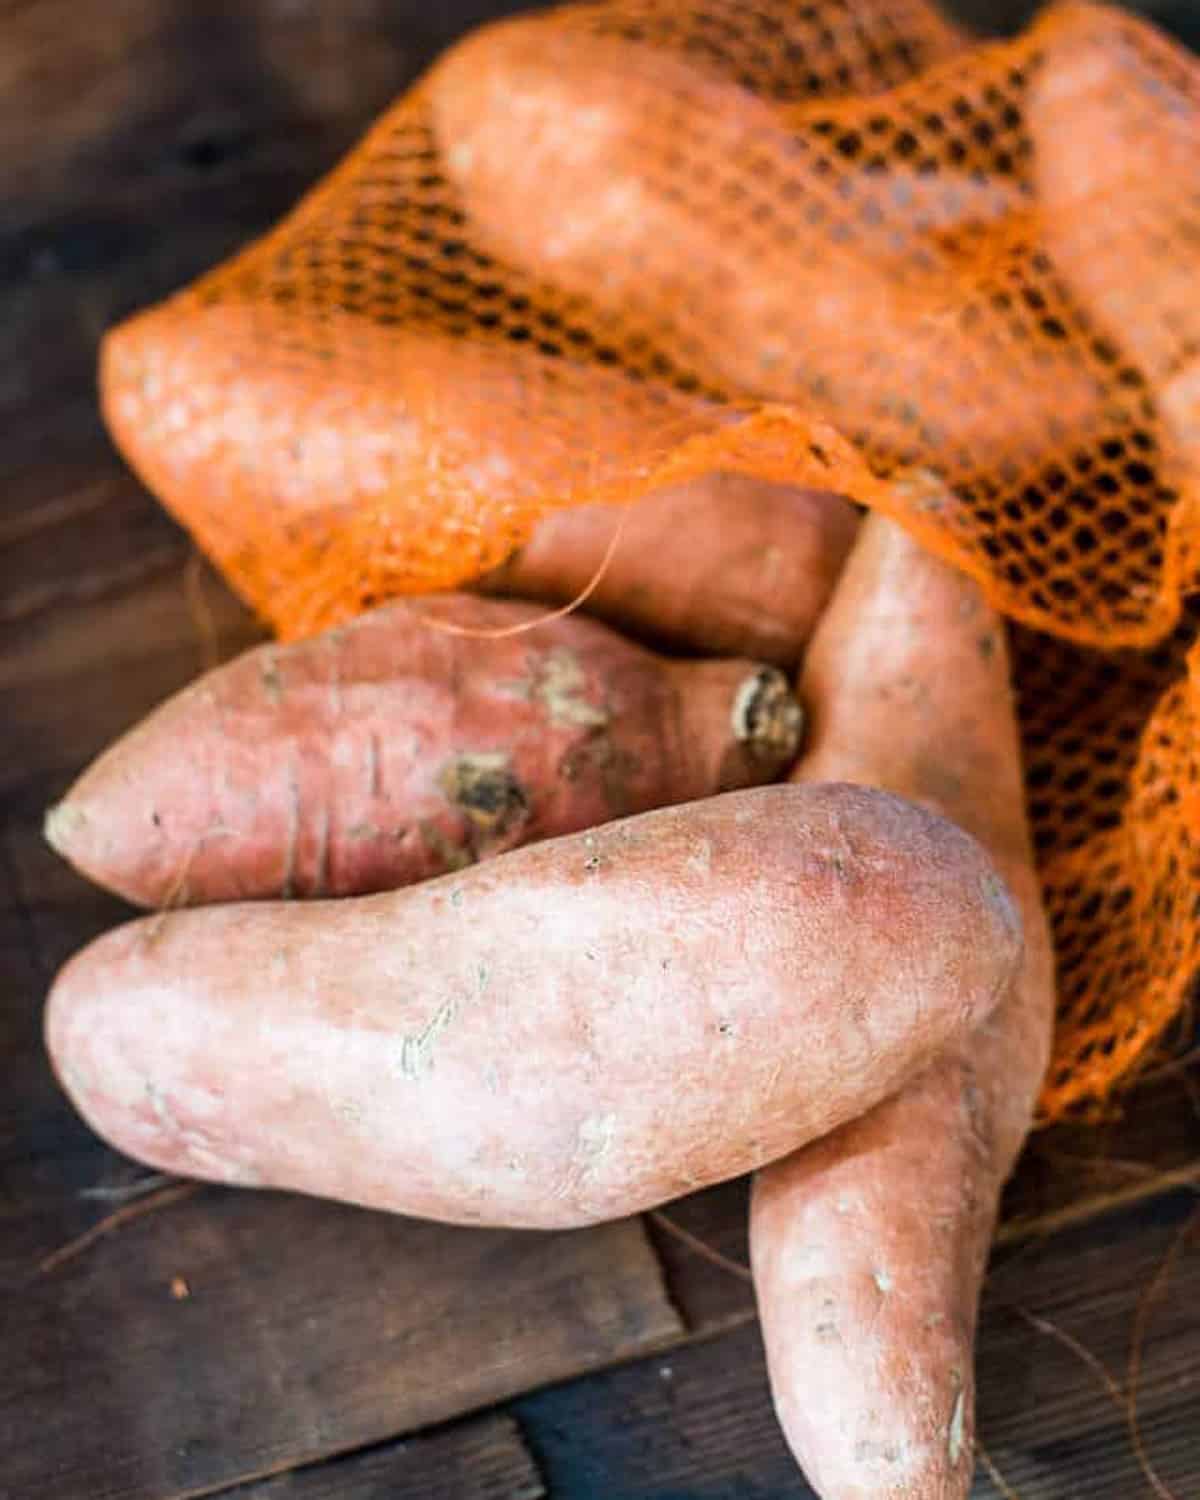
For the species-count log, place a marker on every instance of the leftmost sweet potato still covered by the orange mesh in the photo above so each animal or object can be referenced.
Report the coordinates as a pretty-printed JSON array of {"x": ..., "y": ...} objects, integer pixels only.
[{"x": 268, "y": 436}]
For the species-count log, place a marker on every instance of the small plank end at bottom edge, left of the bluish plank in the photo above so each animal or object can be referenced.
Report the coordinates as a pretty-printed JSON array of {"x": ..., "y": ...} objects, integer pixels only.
[{"x": 482, "y": 1460}]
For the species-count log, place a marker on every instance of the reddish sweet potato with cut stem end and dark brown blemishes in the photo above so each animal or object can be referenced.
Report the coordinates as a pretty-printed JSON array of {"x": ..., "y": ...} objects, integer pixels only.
[{"x": 391, "y": 751}]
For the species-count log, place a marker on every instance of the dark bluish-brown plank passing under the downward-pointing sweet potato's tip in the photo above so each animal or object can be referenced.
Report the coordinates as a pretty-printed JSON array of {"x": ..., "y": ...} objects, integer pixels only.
[{"x": 698, "y": 1421}]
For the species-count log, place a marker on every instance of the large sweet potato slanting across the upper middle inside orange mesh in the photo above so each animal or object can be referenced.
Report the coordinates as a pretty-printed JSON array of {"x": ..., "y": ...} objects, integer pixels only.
[{"x": 688, "y": 209}]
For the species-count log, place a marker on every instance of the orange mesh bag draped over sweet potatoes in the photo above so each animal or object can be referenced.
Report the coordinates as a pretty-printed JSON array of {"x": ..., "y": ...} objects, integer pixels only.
[{"x": 835, "y": 244}]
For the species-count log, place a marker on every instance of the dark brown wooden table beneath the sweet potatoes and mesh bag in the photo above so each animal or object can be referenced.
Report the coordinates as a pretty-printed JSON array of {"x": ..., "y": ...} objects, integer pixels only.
[{"x": 172, "y": 1340}]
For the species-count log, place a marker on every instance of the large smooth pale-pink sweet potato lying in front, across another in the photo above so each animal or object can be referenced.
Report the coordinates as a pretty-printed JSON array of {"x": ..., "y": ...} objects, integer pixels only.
[{"x": 575, "y": 1031}]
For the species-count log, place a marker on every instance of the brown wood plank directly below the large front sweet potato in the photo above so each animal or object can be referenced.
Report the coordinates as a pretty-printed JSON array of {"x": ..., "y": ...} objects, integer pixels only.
[{"x": 233, "y": 1334}]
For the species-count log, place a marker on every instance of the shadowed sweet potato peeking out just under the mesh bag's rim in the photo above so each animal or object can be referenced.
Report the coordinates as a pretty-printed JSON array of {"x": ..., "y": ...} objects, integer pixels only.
[{"x": 722, "y": 565}]
